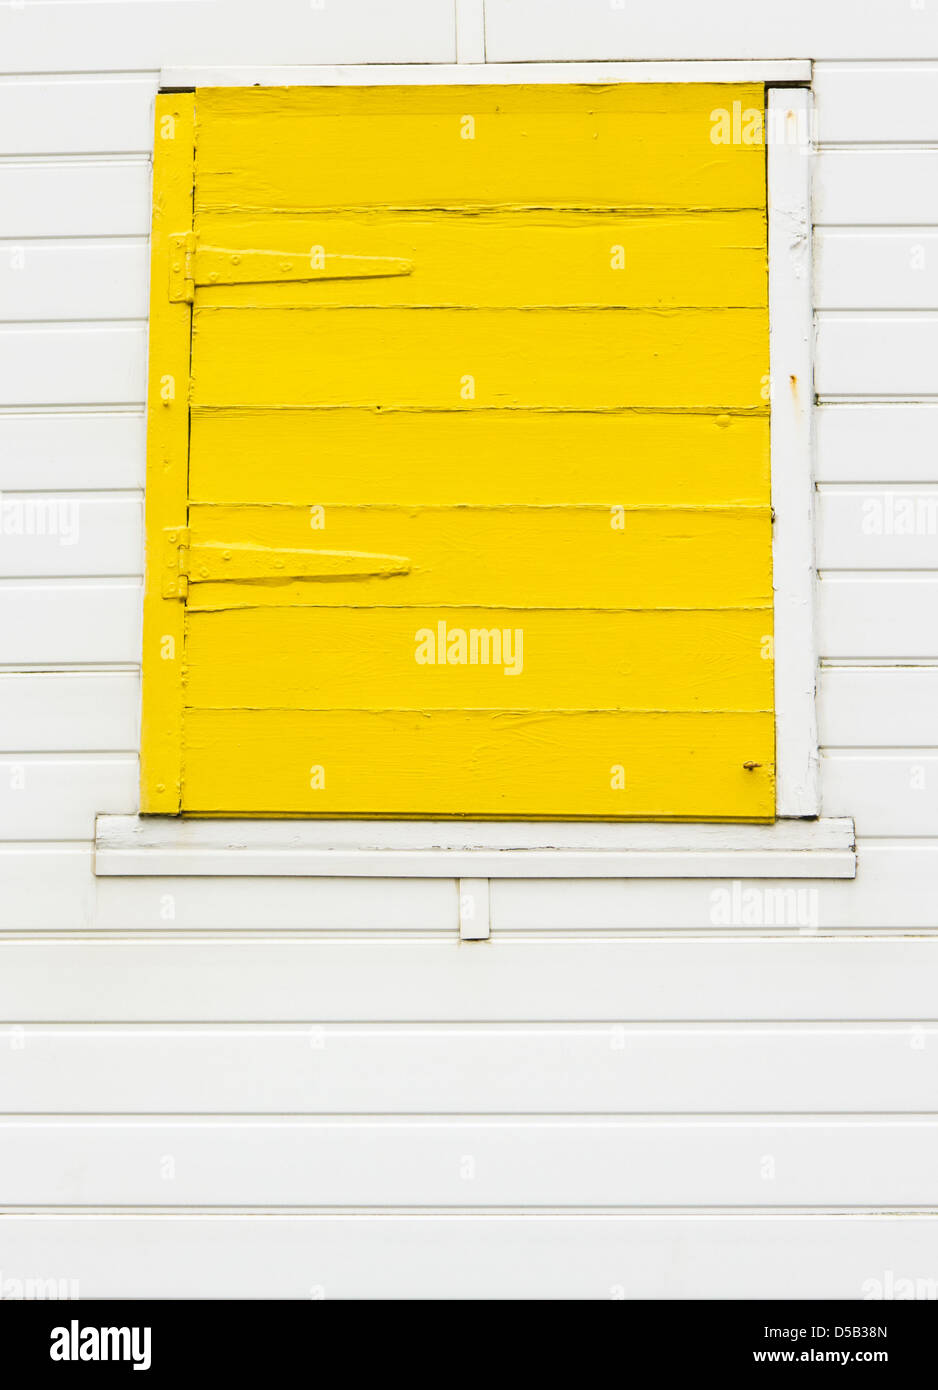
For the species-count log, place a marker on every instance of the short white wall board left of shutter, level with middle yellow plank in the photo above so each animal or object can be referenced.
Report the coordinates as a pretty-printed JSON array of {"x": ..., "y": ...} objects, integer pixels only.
[{"x": 72, "y": 450}]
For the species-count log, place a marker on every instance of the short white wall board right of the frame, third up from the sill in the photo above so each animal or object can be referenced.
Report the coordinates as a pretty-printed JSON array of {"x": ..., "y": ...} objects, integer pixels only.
[{"x": 886, "y": 616}]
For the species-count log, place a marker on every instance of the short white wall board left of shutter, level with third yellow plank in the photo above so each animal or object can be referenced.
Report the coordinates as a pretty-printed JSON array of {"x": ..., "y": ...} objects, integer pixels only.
[{"x": 73, "y": 365}]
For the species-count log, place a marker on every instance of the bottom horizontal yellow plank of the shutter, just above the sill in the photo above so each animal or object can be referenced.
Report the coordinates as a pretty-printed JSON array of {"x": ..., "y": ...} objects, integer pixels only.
[{"x": 479, "y": 764}]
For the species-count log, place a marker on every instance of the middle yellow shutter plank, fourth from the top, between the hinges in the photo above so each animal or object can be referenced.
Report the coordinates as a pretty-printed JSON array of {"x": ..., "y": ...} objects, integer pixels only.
[{"x": 411, "y": 457}]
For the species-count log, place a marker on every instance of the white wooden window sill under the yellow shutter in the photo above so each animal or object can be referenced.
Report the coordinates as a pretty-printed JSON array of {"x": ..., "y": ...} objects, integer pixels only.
[{"x": 144, "y": 846}]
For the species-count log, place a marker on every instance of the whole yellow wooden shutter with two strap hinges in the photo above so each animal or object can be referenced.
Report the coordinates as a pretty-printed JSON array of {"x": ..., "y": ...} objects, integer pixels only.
[{"x": 479, "y": 516}]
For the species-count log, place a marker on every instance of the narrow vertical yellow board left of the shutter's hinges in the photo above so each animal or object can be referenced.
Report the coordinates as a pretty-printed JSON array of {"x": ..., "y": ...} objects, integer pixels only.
[{"x": 167, "y": 459}]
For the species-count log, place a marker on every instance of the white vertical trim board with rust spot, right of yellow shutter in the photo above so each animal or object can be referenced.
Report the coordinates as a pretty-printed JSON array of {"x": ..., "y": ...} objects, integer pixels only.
[{"x": 793, "y": 490}]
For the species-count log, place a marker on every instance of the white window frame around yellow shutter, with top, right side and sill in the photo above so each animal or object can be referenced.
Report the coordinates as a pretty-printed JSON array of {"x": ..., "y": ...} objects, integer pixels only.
[{"x": 800, "y": 844}]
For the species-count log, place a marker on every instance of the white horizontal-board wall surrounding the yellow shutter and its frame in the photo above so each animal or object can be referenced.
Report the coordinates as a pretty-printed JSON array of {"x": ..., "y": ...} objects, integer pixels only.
[{"x": 309, "y": 1088}]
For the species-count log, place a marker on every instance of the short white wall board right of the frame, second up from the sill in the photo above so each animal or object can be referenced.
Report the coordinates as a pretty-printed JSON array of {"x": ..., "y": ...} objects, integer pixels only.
[{"x": 868, "y": 707}]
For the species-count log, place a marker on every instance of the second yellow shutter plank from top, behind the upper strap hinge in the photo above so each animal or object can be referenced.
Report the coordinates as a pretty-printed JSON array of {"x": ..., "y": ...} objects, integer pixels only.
[{"x": 508, "y": 259}]
